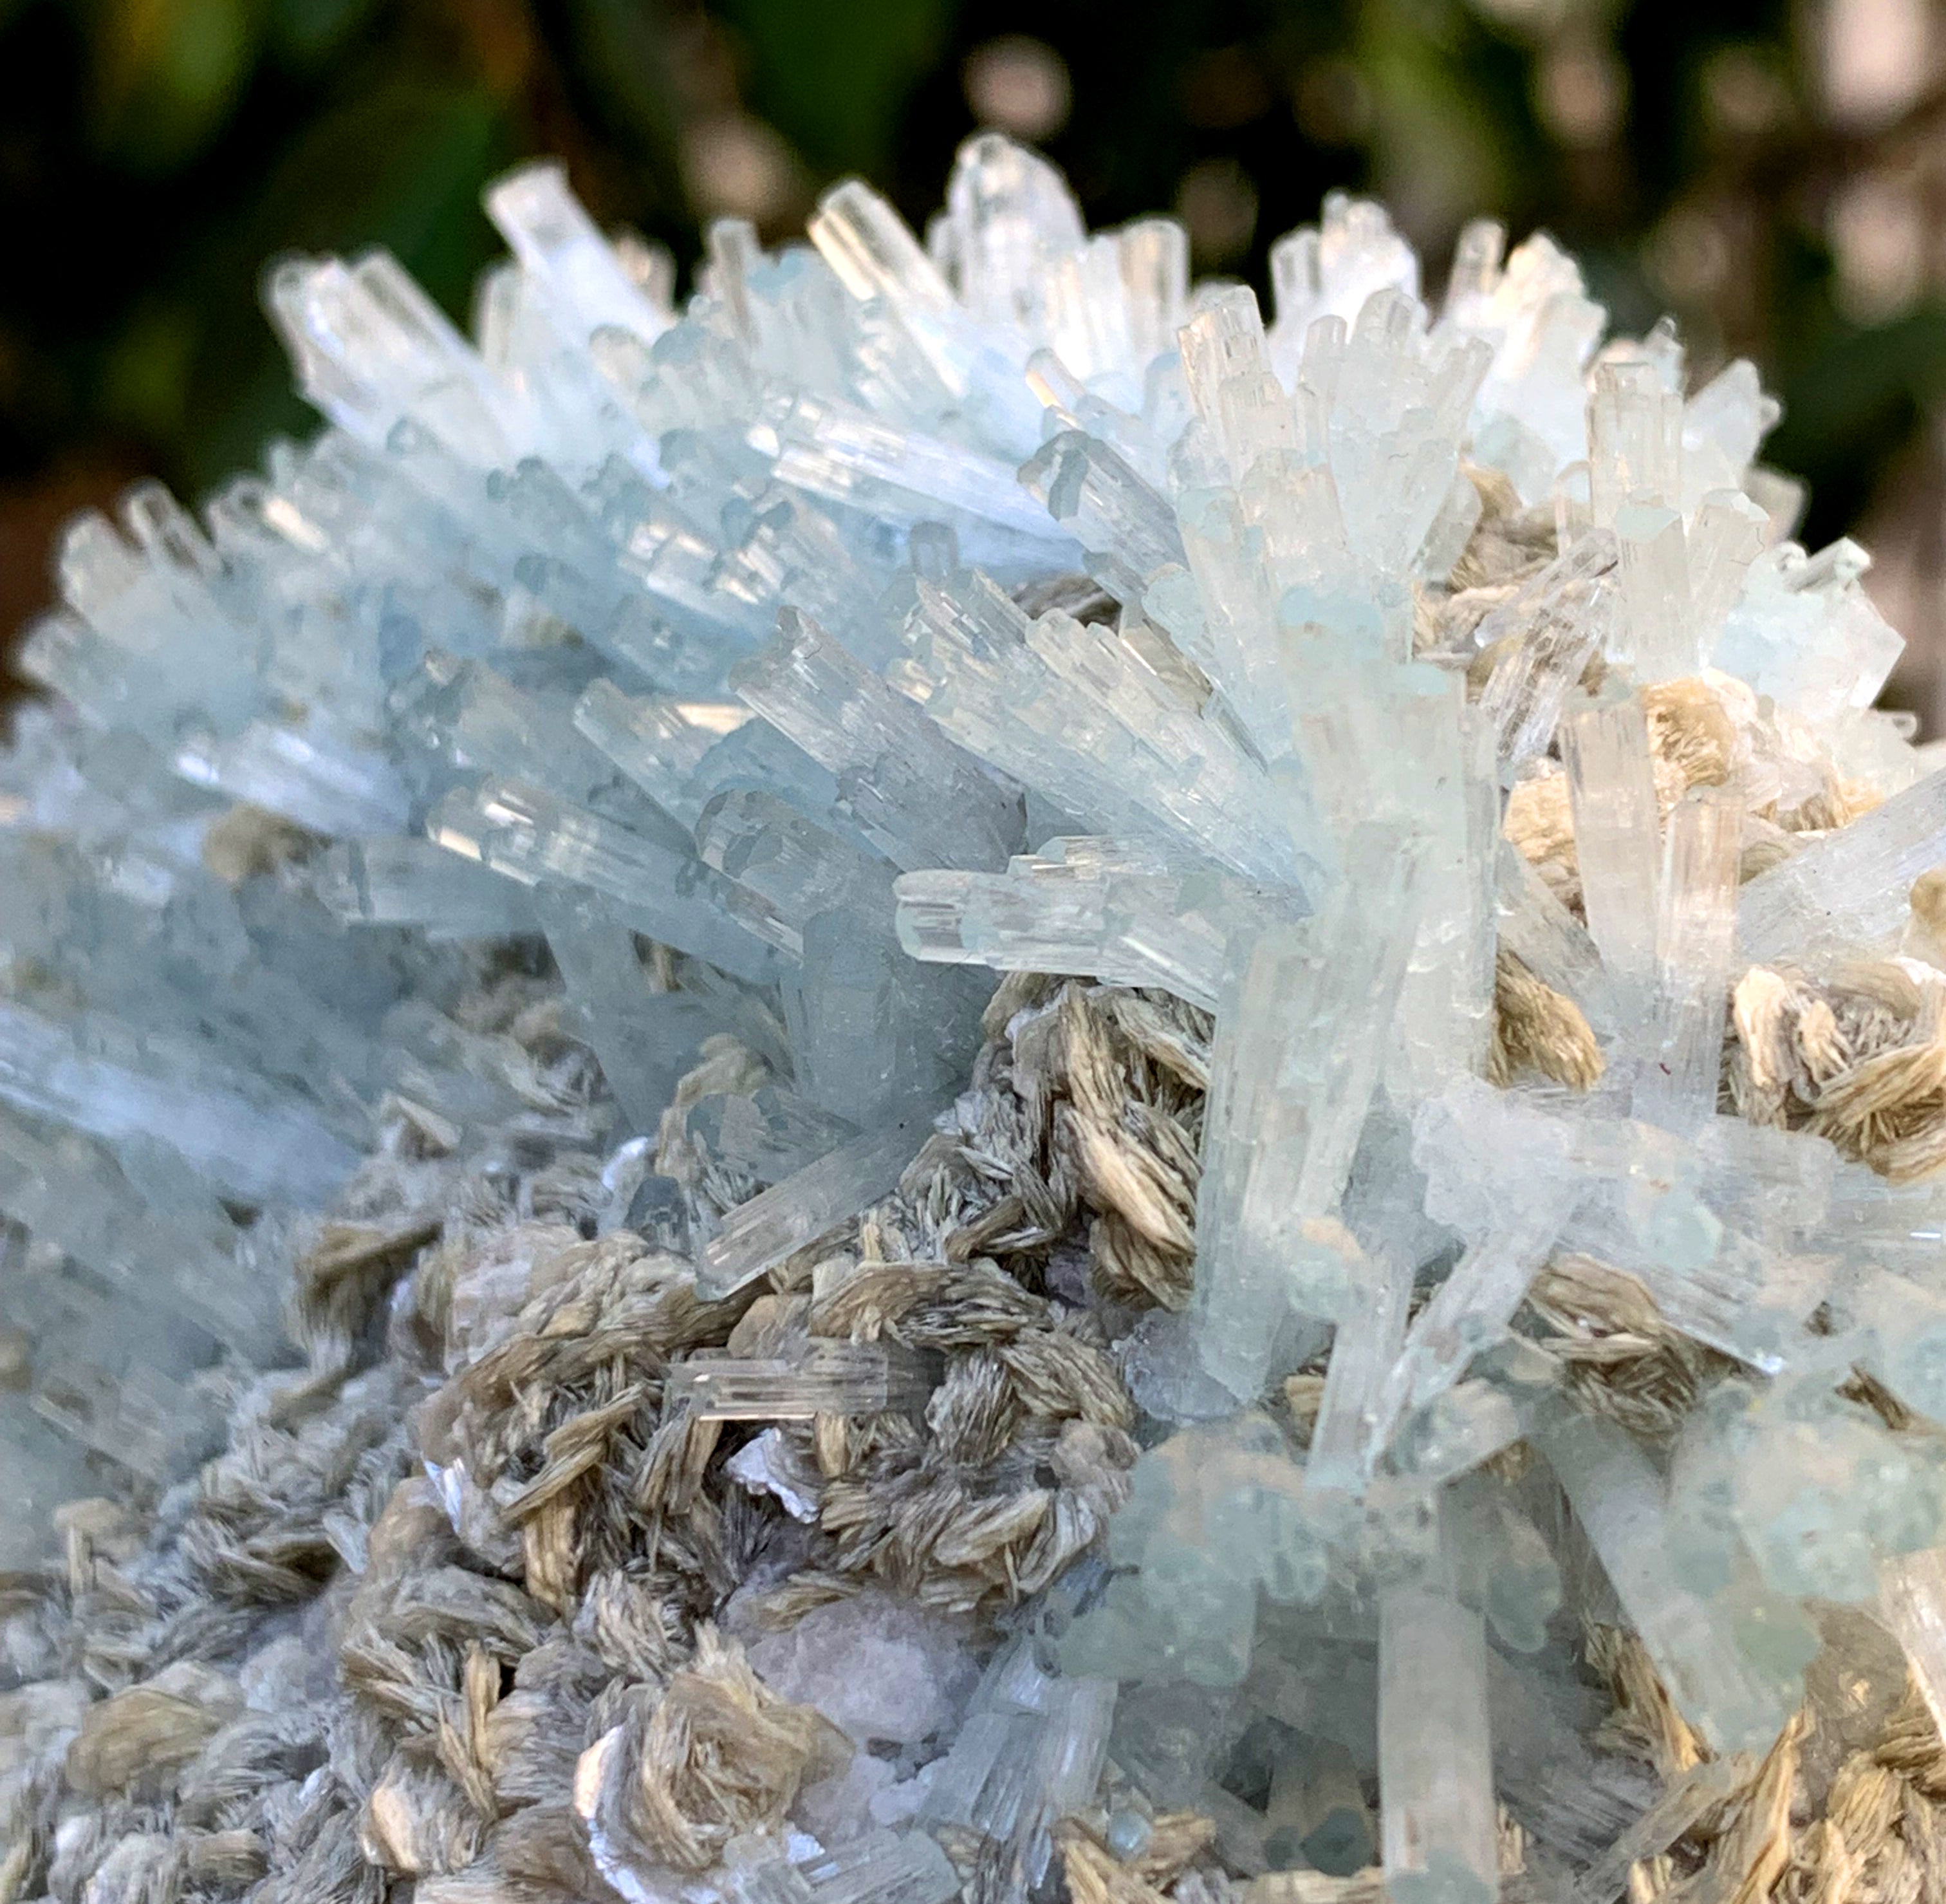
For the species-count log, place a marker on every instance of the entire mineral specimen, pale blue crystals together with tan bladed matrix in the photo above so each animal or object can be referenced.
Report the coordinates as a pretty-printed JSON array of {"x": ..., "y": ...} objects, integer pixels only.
[{"x": 960, "y": 1078}]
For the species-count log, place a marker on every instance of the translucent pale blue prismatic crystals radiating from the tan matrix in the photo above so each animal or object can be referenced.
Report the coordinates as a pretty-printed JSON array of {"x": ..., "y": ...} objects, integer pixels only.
[{"x": 1427, "y": 690}]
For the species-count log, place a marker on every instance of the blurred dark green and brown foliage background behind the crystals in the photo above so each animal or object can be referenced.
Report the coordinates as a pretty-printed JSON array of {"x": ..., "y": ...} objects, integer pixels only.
[{"x": 1772, "y": 172}]
